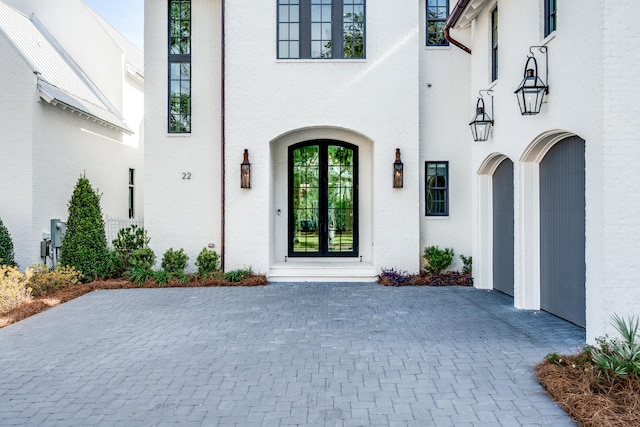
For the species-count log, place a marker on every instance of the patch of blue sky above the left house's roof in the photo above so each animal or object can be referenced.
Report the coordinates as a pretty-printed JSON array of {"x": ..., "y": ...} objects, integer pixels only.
[{"x": 126, "y": 16}]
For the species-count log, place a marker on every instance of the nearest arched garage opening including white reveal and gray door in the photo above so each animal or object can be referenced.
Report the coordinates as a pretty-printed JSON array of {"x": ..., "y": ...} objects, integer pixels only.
[{"x": 553, "y": 212}]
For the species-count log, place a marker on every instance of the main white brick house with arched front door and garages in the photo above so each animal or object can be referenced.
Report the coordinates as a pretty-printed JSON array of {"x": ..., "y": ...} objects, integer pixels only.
[{"x": 300, "y": 83}]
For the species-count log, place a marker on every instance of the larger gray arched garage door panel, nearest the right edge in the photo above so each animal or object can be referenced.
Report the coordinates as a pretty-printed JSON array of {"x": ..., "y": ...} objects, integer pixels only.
[{"x": 562, "y": 231}]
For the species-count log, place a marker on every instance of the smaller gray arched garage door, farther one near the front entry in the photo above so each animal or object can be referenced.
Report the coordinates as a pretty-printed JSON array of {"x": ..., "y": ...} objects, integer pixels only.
[{"x": 503, "y": 227}]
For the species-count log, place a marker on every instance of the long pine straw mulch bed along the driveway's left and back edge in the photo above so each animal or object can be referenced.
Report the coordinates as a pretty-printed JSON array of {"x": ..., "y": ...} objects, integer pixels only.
[{"x": 39, "y": 304}]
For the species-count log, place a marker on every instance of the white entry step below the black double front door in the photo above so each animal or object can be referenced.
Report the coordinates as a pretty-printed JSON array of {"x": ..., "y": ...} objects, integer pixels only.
[{"x": 322, "y": 271}]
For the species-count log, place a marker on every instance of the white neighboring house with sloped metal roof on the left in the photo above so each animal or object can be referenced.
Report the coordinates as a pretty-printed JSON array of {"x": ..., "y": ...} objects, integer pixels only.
[{"x": 72, "y": 104}]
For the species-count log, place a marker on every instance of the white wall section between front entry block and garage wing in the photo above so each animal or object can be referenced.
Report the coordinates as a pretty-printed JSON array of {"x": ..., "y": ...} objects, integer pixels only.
[{"x": 444, "y": 109}]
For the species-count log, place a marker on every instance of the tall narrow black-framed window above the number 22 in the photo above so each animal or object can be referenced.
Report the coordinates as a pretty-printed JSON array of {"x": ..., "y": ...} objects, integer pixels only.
[{"x": 179, "y": 66}]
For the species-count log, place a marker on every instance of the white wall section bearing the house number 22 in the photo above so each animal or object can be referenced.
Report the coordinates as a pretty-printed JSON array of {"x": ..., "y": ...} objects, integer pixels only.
[{"x": 183, "y": 213}]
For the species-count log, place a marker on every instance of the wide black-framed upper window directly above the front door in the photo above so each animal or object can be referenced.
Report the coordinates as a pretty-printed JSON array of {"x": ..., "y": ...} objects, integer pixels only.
[{"x": 321, "y": 29}]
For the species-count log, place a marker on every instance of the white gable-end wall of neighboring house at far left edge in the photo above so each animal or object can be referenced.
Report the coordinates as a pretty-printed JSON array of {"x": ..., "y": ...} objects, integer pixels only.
[{"x": 15, "y": 140}]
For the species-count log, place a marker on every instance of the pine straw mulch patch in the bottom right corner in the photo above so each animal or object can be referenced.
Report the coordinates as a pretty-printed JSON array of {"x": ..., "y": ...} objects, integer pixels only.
[{"x": 590, "y": 397}]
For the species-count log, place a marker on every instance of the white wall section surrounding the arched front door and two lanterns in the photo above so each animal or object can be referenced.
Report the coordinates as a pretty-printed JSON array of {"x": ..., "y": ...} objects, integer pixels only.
[{"x": 376, "y": 98}]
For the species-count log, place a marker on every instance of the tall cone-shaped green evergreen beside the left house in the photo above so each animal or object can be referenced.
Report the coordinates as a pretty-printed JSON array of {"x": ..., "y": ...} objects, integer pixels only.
[{"x": 84, "y": 244}]
